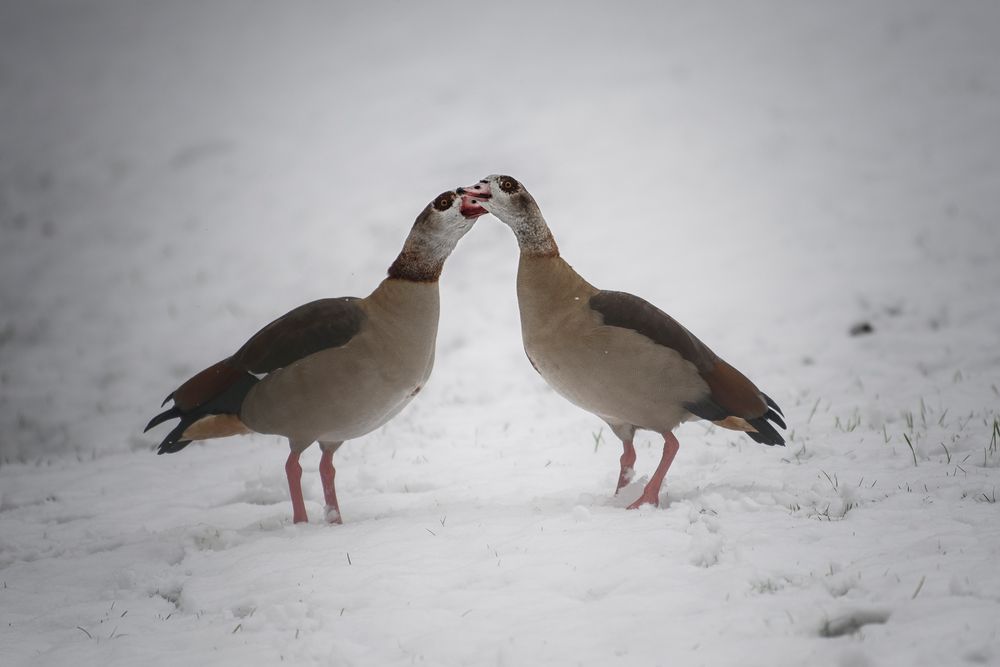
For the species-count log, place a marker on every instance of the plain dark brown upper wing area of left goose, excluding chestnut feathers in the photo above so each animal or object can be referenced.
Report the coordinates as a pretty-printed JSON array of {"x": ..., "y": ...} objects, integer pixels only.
[{"x": 310, "y": 328}]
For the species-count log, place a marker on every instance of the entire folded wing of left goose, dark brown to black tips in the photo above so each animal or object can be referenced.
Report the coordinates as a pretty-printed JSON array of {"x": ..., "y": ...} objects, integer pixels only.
[{"x": 221, "y": 388}]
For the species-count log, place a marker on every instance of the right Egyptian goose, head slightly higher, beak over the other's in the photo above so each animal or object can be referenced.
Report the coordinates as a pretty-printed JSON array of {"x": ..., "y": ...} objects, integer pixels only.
[{"x": 614, "y": 354}]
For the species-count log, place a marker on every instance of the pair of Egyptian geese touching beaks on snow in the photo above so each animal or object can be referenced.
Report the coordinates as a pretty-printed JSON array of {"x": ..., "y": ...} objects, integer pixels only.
[{"x": 336, "y": 369}]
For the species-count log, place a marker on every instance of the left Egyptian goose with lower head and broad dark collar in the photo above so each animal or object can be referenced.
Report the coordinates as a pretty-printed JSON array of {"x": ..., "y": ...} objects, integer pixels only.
[{"x": 333, "y": 369}]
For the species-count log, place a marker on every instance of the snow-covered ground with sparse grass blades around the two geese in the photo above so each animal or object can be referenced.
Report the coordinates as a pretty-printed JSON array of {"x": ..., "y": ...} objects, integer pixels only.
[{"x": 173, "y": 175}]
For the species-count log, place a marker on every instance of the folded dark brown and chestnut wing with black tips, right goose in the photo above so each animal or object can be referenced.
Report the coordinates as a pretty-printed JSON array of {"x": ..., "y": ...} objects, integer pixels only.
[{"x": 731, "y": 394}]
